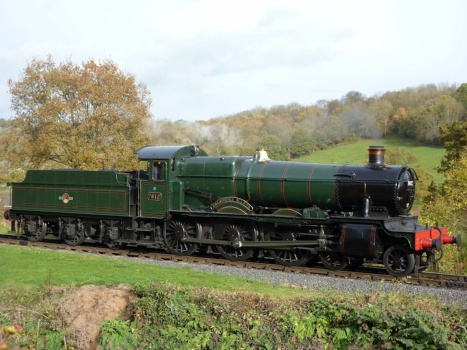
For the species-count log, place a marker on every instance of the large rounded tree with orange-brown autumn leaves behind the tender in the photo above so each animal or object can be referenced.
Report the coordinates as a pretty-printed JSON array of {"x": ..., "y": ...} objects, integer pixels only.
[{"x": 89, "y": 116}]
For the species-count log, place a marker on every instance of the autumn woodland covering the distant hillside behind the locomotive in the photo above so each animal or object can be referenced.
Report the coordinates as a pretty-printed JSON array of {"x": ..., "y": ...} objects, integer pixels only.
[{"x": 291, "y": 131}]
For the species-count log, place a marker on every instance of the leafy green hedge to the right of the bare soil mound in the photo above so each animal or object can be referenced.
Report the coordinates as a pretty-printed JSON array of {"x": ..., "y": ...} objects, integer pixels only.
[{"x": 171, "y": 317}]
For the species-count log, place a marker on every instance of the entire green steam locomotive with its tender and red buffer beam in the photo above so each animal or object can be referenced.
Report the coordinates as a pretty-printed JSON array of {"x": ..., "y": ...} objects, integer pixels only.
[{"x": 242, "y": 207}]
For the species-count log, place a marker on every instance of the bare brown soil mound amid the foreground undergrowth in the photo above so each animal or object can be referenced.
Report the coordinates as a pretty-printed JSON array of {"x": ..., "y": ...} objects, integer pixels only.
[{"x": 83, "y": 311}]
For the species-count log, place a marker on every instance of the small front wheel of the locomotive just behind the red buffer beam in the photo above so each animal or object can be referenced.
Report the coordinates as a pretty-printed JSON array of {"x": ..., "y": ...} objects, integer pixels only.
[{"x": 398, "y": 260}]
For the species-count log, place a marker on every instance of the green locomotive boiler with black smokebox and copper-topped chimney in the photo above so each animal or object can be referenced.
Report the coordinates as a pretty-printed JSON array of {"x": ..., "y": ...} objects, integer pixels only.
[{"x": 276, "y": 185}]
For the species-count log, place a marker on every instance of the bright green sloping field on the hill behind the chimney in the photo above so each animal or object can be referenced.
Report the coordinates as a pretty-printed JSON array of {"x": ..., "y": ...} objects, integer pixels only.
[{"x": 429, "y": 157}]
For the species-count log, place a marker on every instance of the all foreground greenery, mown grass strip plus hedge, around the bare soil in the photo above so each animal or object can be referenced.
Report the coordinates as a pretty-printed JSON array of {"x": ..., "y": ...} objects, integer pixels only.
[{"x": 184, "y": 309}]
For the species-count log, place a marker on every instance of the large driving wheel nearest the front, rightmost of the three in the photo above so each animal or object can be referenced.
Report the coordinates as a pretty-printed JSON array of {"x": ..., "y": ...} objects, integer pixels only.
[{"x": 288, "y": 257}]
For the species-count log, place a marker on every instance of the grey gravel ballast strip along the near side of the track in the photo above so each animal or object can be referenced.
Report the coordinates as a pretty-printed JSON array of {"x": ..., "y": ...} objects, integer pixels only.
[{"x": 321, "y": 283}]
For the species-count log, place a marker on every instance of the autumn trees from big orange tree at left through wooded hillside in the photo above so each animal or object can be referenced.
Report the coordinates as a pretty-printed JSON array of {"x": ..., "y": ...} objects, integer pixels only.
[{"x": 93, "y": 115}]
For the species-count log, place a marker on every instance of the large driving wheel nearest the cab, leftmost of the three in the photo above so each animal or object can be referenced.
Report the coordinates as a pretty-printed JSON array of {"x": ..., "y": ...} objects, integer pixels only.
[{"x": 176, "y": 233}]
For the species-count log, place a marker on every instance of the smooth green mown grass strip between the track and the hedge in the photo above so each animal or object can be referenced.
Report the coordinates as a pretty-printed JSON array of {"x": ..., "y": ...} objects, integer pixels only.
[{"x": 27, "y": 266}]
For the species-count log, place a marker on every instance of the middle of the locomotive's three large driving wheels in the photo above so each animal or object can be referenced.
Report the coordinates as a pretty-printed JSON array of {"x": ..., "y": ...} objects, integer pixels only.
[{"x": 237, "y": 232}]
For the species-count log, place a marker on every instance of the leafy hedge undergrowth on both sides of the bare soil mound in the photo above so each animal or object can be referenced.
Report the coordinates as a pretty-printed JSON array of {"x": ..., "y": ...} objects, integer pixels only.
[{"x": 168, "y": 316}]
